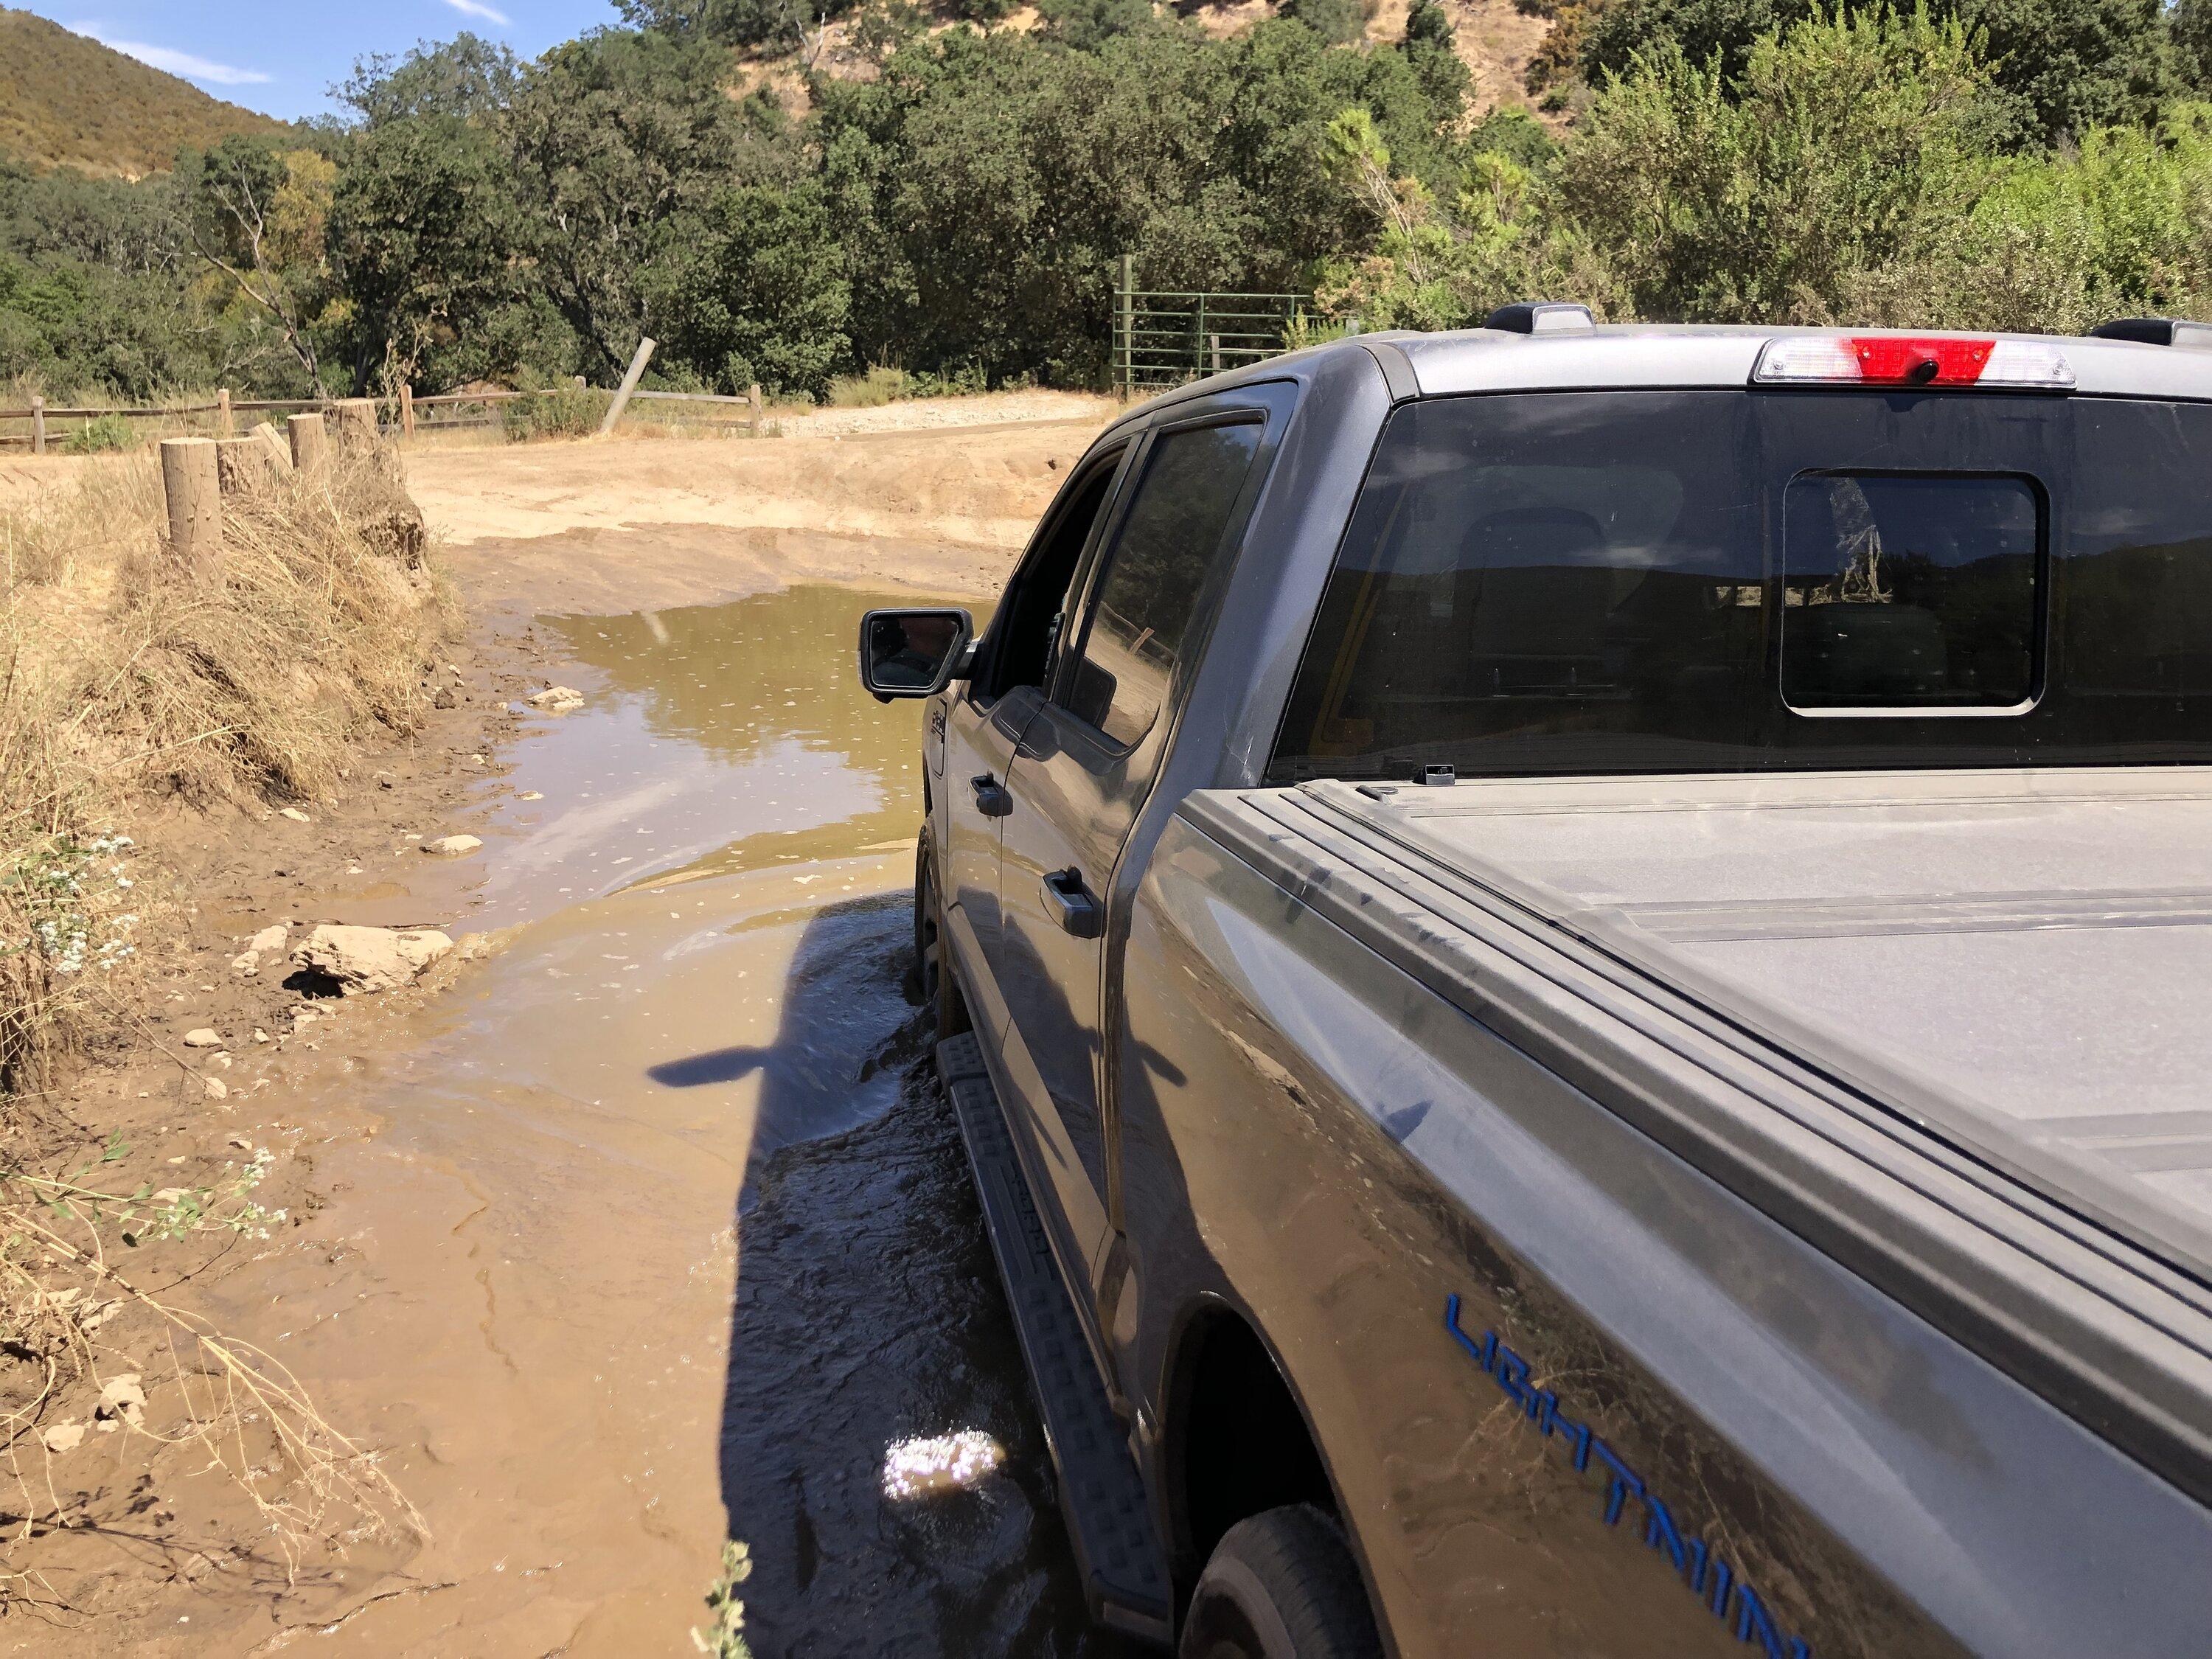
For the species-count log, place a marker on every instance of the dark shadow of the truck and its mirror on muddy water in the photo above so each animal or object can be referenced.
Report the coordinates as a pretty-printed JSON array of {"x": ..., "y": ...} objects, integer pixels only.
[{"x": 868, "y": 1313}]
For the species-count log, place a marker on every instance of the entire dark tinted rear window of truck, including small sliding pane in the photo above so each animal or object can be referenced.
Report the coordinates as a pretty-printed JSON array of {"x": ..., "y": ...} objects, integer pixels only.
[{"x": 1726, "y": 581}]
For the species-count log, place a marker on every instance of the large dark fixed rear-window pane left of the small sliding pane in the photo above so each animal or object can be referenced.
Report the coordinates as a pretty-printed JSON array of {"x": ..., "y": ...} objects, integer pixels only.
[{"x": 1558, "y": 576}]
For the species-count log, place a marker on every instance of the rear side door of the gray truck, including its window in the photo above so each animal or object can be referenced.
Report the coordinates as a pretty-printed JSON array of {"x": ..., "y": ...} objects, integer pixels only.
[{"x": 1083, "y": 771}]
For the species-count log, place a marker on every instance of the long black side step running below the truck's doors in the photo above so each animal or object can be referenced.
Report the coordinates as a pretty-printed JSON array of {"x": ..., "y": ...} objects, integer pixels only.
[{"x": 1100, "y": 1494}]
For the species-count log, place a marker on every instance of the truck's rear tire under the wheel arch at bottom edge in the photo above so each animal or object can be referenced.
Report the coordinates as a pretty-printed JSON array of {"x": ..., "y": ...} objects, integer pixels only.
[{"x": 1282, "y": 1587}]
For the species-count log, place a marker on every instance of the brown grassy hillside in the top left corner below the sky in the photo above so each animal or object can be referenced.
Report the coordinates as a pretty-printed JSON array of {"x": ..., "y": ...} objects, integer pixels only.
[{"x": 67, "y": 101}]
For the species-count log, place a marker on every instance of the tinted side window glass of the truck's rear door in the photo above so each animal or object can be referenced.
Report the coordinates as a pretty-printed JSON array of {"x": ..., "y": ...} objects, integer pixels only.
[{"x": 1151, "y": 585}]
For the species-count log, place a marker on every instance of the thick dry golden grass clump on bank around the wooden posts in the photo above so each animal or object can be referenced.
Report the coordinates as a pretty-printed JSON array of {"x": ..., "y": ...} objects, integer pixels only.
[{"x": 127, "y": 676}]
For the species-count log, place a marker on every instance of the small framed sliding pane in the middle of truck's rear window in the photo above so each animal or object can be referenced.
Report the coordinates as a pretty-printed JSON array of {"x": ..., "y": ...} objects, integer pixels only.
[{"x": 1910, "y": 592}]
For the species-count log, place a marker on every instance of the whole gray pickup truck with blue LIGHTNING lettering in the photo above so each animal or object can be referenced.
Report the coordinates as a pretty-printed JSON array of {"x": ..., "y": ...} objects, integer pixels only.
[{"x": 1578, "y": 972}]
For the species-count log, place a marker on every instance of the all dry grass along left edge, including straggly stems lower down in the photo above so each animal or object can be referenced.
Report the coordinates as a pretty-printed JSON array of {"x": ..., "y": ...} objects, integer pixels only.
[{"x": 127, "y": 676}]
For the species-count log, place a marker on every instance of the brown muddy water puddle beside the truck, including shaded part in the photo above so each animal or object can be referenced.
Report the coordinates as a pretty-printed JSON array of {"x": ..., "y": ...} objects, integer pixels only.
[{"x": 656, "y": 1229}]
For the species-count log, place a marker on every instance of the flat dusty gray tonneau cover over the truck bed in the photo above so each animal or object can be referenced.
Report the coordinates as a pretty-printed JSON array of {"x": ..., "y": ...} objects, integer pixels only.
[{"x": 2018, "y": 961}]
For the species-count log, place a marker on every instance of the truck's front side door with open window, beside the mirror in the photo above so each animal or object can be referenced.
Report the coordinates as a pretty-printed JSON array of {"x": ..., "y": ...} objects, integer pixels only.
[{"x": 988, "y": 716}]
